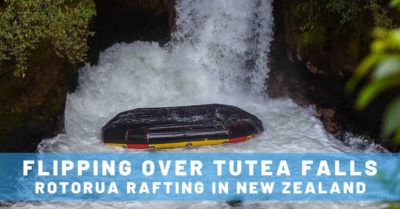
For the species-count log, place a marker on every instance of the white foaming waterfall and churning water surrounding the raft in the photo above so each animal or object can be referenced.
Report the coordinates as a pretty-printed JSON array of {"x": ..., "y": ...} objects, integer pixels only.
[{"x": 218, "y": 55}]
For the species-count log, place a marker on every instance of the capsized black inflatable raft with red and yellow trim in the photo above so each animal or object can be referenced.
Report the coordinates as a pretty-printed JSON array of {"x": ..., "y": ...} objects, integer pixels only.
[{"x": 172, "y": 127}]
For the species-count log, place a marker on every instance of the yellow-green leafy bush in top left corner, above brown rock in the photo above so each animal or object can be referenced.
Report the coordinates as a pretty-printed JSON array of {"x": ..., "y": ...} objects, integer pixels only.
[{"x": 25, "y": 24}]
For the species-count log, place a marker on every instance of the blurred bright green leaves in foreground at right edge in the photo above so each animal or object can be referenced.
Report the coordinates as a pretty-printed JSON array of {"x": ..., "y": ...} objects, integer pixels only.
[{"x": 382, "y": 68}]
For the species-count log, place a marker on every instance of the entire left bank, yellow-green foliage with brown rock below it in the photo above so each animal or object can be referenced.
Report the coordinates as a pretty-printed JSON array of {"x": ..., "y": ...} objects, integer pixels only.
[{"x": 41, "y": 41}]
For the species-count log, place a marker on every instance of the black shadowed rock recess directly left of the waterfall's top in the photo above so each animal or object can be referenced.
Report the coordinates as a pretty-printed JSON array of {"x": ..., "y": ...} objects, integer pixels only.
[{"x": 128, "y": 21}]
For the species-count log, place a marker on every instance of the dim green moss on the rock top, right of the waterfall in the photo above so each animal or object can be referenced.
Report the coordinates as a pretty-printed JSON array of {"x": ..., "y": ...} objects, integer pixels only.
[{"x": 315, "y": 23}]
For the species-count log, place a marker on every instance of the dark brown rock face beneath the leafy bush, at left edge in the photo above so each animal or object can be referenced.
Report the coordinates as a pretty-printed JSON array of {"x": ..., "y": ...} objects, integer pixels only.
[{"x": 31, "y": 108}]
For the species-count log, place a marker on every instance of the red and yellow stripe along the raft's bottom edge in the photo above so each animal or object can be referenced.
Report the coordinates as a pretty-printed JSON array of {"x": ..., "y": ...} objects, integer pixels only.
[{"x": 196, "y": 143}]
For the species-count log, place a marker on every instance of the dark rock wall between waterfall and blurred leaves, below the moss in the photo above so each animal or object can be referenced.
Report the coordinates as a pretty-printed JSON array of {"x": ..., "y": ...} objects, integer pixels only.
[{"x": 316, "y": 75}]
